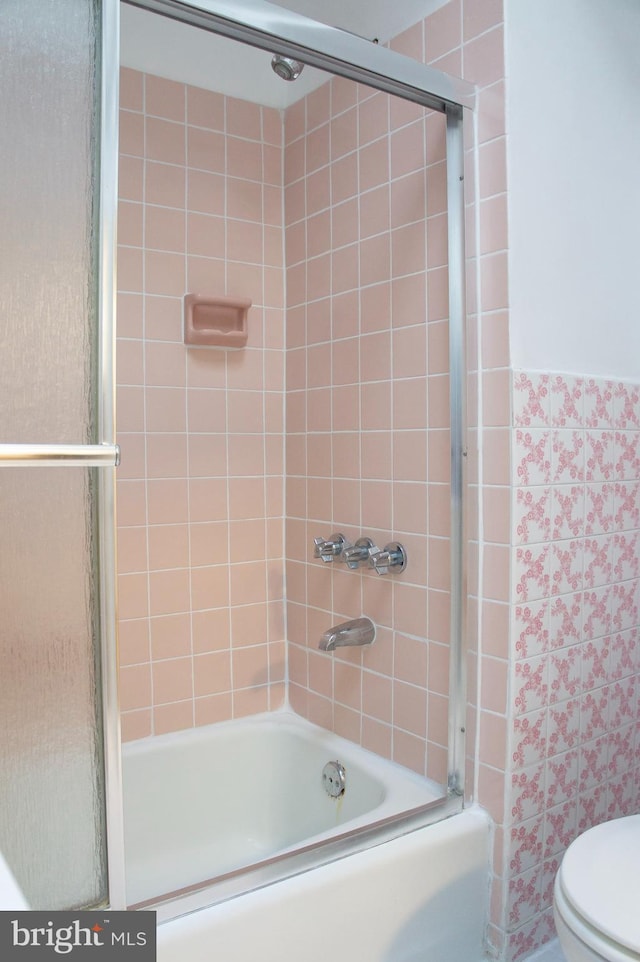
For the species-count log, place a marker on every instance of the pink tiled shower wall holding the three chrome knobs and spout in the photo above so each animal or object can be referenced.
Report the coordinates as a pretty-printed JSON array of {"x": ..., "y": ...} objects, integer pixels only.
[{"x": 368, "y": 413}]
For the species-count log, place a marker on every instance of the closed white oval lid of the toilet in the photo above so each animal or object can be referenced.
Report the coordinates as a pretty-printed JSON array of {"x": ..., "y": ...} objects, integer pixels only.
[{"x": 600, "y": 876}]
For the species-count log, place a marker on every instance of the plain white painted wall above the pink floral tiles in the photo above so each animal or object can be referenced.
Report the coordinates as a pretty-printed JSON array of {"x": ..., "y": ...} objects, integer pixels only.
[{"x": 573, "y": 122}]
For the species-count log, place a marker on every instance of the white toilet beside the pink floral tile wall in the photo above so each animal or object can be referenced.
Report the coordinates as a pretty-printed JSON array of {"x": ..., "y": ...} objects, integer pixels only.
[{"x": 597, "y": 894}]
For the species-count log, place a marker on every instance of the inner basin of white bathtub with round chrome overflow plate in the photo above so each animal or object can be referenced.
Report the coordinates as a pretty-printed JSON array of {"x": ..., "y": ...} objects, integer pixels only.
[{"x": 209, "y": 801}]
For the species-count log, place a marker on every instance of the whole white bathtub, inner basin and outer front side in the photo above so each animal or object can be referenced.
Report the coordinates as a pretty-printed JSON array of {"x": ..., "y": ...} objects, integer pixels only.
[{"x": 232, "y": 838}]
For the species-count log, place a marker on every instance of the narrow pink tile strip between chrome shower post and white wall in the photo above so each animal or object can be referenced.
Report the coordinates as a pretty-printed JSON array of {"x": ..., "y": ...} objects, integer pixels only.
[{"x": 468, "y": 38}]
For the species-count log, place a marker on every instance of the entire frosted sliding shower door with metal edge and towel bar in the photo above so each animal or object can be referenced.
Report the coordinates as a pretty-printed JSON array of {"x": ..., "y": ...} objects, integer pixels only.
[{"x": 57, "y": 456}]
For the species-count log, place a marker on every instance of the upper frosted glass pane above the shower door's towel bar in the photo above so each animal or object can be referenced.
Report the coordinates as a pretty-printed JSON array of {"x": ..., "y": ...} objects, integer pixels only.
[{"x": 48, "y": 167}]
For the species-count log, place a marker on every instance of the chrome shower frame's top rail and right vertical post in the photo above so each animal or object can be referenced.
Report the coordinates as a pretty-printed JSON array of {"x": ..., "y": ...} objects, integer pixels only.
[{"x": 281, "y": 31}]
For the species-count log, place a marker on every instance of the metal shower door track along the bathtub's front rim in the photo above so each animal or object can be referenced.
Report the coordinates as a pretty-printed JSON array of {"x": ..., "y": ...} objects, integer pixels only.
[{"x": 242, "y": 881}]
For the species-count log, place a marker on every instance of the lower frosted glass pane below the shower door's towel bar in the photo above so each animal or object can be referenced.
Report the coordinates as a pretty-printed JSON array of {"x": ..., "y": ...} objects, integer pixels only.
[{"x": 51, "y": 770}]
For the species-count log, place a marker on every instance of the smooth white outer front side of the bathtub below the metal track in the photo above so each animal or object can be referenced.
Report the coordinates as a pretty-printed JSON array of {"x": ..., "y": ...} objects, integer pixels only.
[{"x": 418, "y": 898}]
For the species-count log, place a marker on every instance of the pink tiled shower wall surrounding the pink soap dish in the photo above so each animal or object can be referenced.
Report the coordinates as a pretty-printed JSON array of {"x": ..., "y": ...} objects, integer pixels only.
[{"x": 200, "y": 490}]
